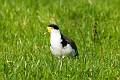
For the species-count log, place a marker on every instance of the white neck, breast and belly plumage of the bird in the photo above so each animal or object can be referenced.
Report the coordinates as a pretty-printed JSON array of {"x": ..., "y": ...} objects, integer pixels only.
[{"x": 56, "y": 46}]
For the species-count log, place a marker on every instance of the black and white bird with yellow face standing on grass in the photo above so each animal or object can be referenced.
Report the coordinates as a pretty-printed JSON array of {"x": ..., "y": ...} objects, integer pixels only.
[{"x": 60, "y": 45}]
